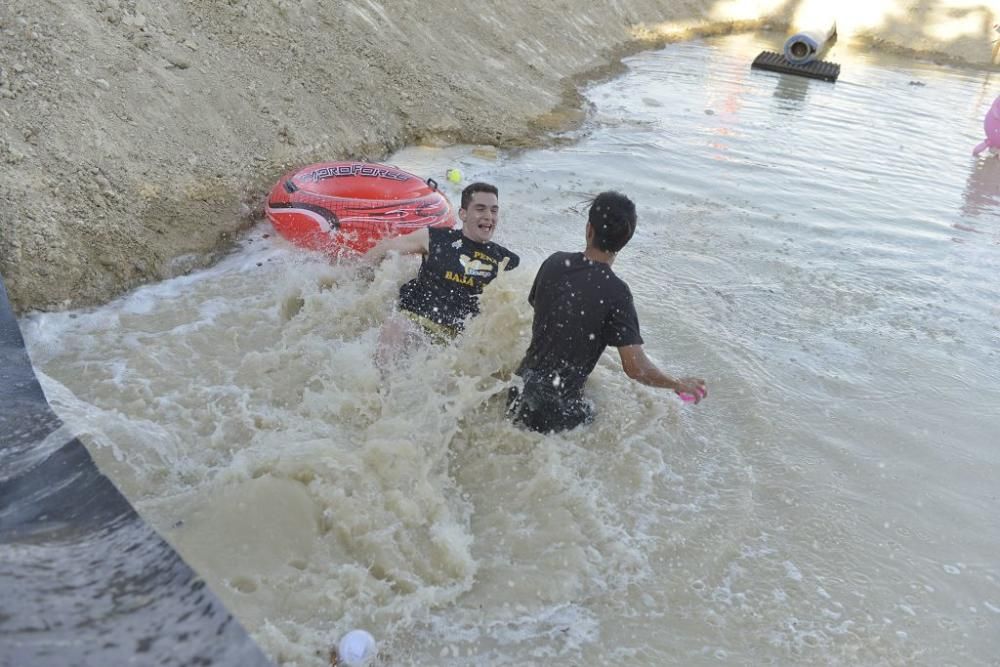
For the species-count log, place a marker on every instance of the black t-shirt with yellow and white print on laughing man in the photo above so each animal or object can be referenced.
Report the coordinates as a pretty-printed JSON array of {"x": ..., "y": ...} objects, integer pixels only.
[{"x": 452, "y": 276}]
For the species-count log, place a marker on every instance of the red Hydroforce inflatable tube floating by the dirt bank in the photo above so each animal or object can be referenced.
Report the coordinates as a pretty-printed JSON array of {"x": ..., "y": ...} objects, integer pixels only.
[{"x": 338, "y": 206}]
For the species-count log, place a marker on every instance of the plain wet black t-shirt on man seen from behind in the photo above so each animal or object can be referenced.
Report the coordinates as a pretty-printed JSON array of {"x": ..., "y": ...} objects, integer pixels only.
[{"x": 581, "y": 307}]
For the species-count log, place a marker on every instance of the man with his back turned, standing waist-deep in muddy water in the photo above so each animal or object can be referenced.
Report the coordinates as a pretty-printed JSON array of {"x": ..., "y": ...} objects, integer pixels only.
[{"x": 581, "y": 307}]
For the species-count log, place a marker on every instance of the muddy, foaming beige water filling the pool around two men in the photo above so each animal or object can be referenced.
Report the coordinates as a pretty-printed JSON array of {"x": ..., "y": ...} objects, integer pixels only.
[{"x": 831, "y": 502}]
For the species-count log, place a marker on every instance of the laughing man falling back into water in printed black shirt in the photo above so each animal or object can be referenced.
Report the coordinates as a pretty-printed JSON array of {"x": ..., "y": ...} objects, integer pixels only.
[{"x": 456, "y": 265}]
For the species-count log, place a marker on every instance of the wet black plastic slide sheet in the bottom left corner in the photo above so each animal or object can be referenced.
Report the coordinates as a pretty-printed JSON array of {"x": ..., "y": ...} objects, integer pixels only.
[{"x": 83, "y": 579}]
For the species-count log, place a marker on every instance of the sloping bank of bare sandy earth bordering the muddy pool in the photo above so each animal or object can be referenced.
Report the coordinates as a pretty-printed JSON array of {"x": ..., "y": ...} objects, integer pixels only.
[{"x": 136, "y": 140}]
